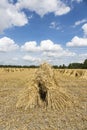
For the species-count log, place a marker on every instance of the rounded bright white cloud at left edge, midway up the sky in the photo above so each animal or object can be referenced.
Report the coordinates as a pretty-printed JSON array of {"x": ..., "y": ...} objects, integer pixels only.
[{"x": 7, "y": 44}]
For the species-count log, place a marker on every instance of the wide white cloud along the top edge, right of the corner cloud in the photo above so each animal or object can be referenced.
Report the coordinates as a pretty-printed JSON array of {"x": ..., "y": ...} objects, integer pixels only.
[{"x": 44, "y": 7}]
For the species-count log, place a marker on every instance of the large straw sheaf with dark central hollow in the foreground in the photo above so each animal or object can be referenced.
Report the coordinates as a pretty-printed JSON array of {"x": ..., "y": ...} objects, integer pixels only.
[{"x": 43, "y": 92}]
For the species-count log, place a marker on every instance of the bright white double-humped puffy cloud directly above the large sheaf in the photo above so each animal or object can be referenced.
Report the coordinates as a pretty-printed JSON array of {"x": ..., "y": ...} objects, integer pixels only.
[{"x": 45, "y": 45}]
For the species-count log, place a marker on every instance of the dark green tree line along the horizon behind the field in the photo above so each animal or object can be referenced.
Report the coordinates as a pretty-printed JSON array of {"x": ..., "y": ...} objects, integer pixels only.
[{"x": 70, "y": 66}]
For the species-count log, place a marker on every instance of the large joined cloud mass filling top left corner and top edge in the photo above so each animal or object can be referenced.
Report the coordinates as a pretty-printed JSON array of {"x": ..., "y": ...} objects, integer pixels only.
[{"x": 12, "y": 14}]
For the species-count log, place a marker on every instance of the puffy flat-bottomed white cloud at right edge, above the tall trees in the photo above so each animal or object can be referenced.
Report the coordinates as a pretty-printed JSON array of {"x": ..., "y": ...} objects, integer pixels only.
[{"x": 77, "y": 41}]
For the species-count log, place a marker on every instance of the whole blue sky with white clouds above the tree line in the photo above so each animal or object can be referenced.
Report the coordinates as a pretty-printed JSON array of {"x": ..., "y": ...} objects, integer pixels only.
[{"x": 38, "y": 31}]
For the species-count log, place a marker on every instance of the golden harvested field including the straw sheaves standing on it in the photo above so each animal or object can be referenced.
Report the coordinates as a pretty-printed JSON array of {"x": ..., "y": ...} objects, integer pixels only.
[{"x": 63, "y": 108}]
